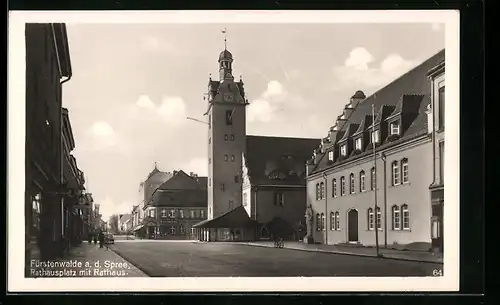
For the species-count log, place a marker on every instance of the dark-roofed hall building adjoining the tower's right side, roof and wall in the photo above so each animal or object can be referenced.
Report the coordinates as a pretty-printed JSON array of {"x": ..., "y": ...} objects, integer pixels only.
[{"x": 274, "y": 185}]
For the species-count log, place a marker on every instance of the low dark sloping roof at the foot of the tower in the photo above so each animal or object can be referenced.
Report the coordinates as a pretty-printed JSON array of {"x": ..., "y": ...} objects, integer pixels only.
[{"x": 237, "y": 218}]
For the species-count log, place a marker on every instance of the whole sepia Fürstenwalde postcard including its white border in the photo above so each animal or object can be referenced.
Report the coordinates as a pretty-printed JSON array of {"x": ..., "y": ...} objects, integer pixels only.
[{"x": 234, "y": 150}]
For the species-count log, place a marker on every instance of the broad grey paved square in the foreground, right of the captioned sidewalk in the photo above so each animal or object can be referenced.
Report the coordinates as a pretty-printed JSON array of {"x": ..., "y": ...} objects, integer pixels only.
[{"x": 191, "y": 259}]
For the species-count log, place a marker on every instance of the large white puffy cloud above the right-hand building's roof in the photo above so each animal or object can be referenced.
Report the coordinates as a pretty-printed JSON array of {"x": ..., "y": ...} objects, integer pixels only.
[{"x": 357, "y": 70}]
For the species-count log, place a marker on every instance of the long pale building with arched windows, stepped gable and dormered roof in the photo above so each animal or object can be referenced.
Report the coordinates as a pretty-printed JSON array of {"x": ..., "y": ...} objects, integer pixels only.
[{"x": 369, "y": 178}]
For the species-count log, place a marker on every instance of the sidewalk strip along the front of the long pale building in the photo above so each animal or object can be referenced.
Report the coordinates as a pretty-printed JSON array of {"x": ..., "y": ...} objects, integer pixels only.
[{"x": 416, "y": 256}]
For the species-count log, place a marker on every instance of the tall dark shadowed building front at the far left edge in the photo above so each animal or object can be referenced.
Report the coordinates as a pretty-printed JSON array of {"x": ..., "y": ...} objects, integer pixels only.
[{"x": 48, "y": 66}]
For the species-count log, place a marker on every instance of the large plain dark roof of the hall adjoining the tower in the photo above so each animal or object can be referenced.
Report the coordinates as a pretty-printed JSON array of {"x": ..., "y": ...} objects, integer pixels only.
[{"x": 265, "y": 155}]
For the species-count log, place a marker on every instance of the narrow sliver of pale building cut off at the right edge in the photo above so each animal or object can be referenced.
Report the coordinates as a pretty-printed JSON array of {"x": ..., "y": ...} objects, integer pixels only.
[{"x": 436, "y": 115}]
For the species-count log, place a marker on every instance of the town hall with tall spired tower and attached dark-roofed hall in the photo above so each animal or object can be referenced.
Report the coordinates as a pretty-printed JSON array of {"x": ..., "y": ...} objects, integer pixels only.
[{"x": 273, "y": 197}]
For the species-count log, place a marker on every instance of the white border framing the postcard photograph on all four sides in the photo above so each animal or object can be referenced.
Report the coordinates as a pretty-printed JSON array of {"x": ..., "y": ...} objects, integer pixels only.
[{"x": 16, "y": 154}]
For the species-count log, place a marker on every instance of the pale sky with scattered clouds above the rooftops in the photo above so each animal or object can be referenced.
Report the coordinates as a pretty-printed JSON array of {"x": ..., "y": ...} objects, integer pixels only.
[{"x": 134, "y": 85}]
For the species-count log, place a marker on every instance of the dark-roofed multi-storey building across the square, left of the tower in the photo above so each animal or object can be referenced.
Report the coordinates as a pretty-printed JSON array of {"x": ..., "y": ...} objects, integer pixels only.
[{"x": 175, "y": 206}]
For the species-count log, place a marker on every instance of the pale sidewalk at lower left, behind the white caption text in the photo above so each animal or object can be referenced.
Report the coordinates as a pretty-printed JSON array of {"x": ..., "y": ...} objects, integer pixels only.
[{"x": 87, "y": 260}]
